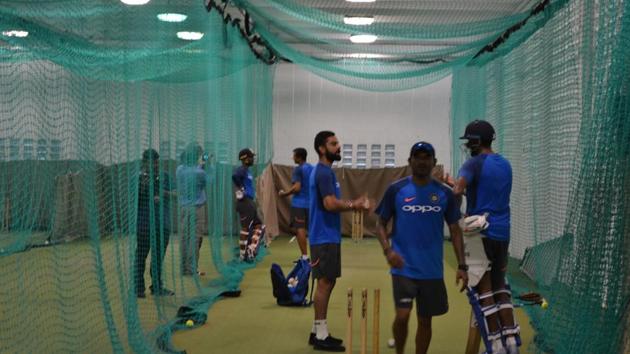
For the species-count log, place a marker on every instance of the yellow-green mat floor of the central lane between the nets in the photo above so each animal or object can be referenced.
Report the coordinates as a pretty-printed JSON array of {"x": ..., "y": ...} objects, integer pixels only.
[{"x": 254, "y": 322}]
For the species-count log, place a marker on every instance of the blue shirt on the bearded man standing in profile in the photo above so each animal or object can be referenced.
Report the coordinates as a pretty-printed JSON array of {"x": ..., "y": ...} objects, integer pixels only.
[{"x": 323, "y": 226}]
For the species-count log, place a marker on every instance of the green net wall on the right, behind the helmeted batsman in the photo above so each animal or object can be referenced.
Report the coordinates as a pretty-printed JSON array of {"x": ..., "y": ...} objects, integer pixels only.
[{"x": 560, "y": 104}]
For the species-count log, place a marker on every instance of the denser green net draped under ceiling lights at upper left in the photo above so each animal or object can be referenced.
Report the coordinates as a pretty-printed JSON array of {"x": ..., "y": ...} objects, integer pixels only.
[{"x": 114, "y": 41}]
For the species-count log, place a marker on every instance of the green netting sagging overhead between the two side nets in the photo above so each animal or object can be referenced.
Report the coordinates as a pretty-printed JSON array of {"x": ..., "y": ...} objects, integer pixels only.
[{"x": 418, "y": 42}]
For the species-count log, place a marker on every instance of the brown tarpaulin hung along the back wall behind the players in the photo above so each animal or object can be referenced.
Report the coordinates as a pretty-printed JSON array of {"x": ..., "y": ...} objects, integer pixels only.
[{"x": 354, "y": 183}]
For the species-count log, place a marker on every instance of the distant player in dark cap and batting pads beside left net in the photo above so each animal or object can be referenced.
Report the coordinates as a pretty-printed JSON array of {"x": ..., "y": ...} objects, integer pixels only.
[{"x": 245, "y": 199}]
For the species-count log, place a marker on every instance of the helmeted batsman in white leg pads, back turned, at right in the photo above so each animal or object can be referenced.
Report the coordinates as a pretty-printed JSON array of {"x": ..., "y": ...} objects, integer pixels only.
[{"x": 486, "y": 180}]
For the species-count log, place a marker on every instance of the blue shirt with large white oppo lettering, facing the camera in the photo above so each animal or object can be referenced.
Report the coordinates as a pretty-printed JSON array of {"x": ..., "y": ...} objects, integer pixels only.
[{"x": 419, "y": 213}]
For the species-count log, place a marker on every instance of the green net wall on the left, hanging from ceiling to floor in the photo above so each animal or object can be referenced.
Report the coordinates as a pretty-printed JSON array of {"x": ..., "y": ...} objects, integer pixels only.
[{"x": 92, "y": 86}]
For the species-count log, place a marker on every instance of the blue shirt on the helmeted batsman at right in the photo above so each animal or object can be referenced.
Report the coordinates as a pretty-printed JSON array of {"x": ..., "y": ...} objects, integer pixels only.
[{"x": 488, "y": 187}]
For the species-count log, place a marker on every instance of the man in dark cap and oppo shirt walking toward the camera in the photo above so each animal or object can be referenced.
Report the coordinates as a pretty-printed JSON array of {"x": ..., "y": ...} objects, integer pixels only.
[{"x": 419, "y": 206}]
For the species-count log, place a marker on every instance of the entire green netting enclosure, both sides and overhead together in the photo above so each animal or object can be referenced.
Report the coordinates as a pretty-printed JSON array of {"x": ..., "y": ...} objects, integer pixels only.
[{"x": 87, "y": 86}]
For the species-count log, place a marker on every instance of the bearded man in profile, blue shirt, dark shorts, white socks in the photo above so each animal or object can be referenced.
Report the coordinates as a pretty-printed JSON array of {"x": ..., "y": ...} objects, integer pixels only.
[{"x": 324, "y": 234}]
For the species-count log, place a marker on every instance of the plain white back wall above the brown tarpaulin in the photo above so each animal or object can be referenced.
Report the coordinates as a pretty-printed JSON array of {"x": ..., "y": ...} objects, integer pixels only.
[{"x": 305, "y": 104}]
